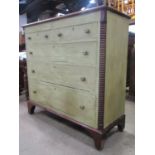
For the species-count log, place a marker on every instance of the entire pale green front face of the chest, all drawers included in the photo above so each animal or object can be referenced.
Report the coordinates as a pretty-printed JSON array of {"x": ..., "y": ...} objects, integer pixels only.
[{"x": 60, "y": 63}]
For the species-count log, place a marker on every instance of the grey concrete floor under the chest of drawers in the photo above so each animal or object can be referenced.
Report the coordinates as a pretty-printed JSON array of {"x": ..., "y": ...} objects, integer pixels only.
[{"x": 43, "y": 134}]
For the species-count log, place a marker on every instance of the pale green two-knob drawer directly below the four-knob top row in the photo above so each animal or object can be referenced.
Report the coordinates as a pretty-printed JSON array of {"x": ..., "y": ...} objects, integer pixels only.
[{"x": 75, "y": 53}]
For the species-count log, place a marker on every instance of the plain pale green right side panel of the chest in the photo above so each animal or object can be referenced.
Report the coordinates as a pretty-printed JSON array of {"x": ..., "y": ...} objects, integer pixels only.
[{"x": 116, "y": 66}]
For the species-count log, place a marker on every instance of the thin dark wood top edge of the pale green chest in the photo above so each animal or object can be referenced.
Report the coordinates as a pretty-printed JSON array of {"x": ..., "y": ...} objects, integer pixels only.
[{"x": 77, "y": 13}]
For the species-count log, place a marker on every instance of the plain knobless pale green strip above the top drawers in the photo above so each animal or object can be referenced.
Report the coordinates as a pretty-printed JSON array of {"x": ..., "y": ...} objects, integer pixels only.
[{"x": 72, "y": 21}]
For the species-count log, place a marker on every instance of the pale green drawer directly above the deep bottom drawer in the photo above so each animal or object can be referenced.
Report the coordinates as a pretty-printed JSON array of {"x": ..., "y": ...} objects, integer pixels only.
[{"x": 68, "y": 75}]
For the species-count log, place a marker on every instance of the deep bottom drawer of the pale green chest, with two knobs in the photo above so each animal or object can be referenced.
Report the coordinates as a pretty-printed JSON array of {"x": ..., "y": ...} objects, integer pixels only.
[{"x": 76, "y": 104}]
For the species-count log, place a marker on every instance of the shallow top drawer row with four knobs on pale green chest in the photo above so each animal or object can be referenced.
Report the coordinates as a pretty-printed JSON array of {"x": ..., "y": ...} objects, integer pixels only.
[{"x": 86, "y": 32}]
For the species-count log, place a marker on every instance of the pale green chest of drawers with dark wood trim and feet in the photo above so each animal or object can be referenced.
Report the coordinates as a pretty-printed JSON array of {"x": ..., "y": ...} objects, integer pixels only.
[{"x": 77, "y": 68}]
